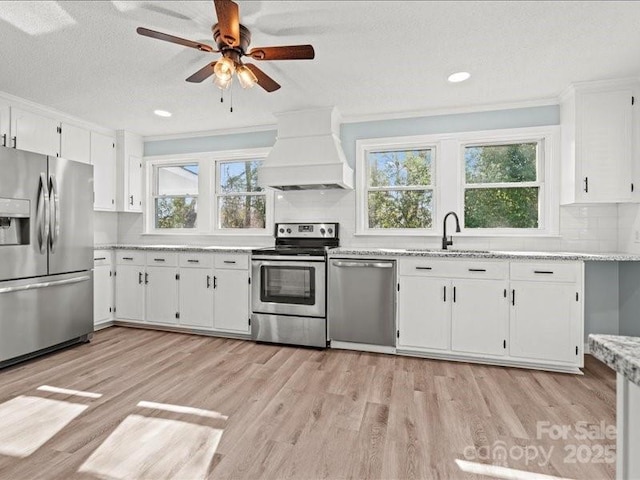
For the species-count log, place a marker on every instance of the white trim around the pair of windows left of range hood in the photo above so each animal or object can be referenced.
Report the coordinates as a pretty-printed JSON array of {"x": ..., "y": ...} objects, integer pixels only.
[{"x": 207, "y": 178}]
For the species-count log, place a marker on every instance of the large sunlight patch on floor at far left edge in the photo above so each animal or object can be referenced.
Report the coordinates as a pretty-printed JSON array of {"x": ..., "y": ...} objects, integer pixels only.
[{"x": 27, "y": 423}]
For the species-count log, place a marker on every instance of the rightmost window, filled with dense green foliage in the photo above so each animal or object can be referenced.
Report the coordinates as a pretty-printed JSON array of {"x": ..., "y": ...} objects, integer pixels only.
[{"x": 502, "y": 187}]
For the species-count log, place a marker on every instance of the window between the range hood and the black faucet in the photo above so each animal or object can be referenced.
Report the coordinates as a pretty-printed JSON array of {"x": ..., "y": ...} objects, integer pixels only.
[{"x": 399, "y": 189}]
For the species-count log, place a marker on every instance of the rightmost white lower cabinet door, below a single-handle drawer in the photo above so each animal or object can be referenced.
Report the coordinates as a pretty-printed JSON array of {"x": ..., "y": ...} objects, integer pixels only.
[{"x": 545, "y": 320}]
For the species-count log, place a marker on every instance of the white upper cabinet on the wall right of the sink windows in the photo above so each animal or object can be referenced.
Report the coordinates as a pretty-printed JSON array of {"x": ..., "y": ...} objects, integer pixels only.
[{"x": 598, "y": 143}]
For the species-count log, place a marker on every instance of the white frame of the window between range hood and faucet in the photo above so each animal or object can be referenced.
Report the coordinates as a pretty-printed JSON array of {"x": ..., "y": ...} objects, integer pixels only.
[{"x": 366, "y": 146}]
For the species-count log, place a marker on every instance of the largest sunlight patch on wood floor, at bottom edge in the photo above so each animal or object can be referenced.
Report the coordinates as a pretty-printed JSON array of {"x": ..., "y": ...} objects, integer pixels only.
[{"x": 142, "y": 447}]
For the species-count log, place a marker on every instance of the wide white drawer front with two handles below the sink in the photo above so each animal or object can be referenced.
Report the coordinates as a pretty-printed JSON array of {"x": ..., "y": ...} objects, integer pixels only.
[{"x": 455, "y": 268}]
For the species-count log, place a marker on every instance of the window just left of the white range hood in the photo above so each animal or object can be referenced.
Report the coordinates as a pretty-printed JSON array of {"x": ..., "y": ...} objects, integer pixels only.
[{"x": 240, "y": 202}]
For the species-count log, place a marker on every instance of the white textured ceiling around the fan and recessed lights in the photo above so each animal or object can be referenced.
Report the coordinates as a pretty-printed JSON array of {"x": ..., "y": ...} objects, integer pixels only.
[{"x": 374, "y": 57}]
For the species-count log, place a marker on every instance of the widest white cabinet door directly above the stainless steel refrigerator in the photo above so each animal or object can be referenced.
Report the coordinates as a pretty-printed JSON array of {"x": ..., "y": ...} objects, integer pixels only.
[{"x": 34, "y": 133}]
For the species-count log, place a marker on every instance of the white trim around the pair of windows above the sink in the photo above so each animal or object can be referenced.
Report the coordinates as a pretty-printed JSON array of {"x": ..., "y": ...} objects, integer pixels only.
[{"x": 449, "y": 175}]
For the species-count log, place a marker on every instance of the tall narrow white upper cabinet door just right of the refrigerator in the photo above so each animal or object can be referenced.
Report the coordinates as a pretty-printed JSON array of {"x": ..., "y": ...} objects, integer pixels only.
[{"x": 103, "y": 157}]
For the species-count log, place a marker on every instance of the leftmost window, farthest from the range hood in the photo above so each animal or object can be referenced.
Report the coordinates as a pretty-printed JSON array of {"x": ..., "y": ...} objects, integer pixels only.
[{"x": 175, "y": 196}]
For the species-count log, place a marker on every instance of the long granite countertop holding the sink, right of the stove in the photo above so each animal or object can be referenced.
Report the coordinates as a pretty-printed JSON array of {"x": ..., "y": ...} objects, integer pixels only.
[{"x": 494, "y": 254}]
